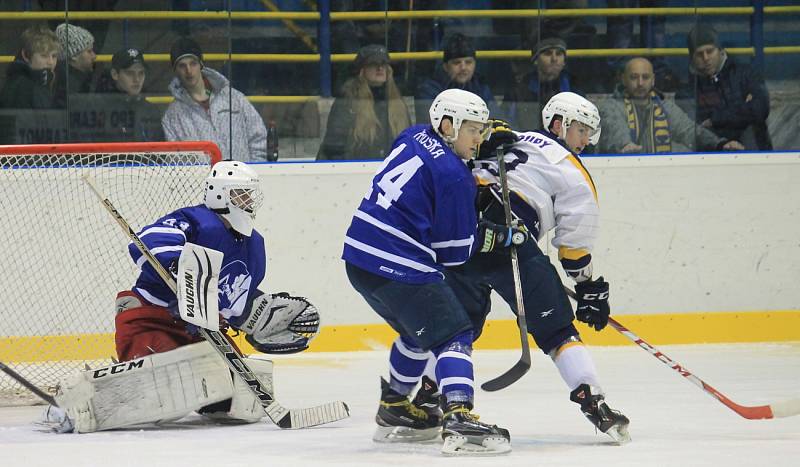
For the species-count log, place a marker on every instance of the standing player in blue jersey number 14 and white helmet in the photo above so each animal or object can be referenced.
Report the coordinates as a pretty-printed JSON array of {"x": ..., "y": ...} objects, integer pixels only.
[{"x": 418, "y": 218}]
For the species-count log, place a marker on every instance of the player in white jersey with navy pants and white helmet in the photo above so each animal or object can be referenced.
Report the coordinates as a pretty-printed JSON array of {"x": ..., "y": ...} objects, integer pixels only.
[{"x": 550, "y": 190}]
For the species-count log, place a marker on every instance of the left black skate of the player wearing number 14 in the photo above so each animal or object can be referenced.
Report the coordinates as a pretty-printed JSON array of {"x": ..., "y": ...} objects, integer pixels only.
[{"x": 400, "y": 421}]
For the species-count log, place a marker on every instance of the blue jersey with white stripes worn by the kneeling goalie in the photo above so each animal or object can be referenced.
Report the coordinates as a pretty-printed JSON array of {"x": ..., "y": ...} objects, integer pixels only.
[{"x": 243, "y": 264}]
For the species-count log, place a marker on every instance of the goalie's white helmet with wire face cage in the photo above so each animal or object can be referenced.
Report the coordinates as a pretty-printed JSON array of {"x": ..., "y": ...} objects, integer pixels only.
[{"x": 233, "y": 191}]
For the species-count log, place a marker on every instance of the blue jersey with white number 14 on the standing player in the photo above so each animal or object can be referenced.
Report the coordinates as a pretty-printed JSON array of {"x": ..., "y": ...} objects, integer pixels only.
[{"x": 419, "y": 215}]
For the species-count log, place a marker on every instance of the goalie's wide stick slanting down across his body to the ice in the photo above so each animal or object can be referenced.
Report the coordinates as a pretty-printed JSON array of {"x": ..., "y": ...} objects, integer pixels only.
[{"x": 281, "y": 416}]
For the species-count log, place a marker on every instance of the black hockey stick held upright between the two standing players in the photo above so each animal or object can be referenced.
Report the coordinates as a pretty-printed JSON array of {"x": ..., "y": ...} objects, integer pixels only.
[{"x": 524, "y": 364}]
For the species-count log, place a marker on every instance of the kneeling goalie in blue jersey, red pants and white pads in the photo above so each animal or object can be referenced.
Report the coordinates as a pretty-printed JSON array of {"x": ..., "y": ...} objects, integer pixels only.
[{"x": 166, "y": 370}]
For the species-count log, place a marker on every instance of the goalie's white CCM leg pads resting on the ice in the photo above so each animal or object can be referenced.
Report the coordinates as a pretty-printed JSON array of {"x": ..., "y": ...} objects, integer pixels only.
[{"x": 160, "y": 387}]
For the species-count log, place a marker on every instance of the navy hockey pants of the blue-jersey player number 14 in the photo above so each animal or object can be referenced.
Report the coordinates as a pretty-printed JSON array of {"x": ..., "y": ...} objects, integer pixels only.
[{"x": 429, "y": 315}]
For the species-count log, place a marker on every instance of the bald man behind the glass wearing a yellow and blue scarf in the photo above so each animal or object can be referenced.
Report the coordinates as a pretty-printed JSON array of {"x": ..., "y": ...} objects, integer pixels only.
[{"x": 638, "y": 119}]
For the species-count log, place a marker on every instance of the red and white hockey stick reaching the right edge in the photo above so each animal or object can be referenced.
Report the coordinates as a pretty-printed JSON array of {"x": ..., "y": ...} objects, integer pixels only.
[{"x": 781, "y": 409}]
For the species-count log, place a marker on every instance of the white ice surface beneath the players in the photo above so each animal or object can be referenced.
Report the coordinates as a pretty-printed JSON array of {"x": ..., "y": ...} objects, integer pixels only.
[{"x": 673, "y": 423}]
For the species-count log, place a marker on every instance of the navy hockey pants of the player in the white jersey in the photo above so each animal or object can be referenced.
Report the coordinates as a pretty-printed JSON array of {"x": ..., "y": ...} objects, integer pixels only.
[{"x": 548, "y": 311}]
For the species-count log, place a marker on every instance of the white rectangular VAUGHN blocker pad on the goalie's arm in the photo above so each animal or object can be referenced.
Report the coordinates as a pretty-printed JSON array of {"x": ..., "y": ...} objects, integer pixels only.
[{"x": 198, "y": 278}]
